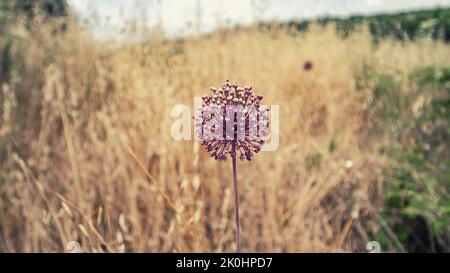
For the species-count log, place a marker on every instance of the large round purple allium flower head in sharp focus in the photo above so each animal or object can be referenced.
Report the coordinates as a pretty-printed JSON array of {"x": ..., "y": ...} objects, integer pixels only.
[{"x": 232, "y": 115}]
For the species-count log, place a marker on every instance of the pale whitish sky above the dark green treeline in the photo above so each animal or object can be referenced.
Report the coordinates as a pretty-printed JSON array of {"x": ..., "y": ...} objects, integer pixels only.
[{"x": 184, "y": 17}]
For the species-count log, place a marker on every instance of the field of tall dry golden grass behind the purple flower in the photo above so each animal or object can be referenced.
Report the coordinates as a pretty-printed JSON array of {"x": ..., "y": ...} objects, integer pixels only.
[{"x": 86, "y": 152}]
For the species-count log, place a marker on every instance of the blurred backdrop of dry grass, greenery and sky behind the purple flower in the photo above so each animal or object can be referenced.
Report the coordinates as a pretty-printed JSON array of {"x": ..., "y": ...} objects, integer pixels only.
[{"x": 86, "y": 154}]
